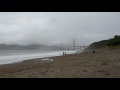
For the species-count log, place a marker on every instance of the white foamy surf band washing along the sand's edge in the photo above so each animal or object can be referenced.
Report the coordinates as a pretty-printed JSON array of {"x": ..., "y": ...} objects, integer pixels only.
[{"x": 21, "y": 58}]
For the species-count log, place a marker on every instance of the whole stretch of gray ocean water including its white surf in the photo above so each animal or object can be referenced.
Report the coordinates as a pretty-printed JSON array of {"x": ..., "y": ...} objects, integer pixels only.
[{"x": 13, "y": 56}]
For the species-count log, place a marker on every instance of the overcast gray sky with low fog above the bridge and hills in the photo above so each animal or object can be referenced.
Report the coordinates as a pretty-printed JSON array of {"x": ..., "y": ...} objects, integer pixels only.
[{"x": 54, "y": 28}]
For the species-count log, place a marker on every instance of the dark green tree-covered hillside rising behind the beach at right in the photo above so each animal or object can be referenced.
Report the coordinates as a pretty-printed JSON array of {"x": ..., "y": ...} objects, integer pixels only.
[{"x": 113, "y": 43}]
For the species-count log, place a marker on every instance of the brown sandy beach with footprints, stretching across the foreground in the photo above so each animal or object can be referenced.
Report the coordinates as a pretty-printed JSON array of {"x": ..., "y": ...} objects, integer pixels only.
[{"x": 102, "y": 64}]
